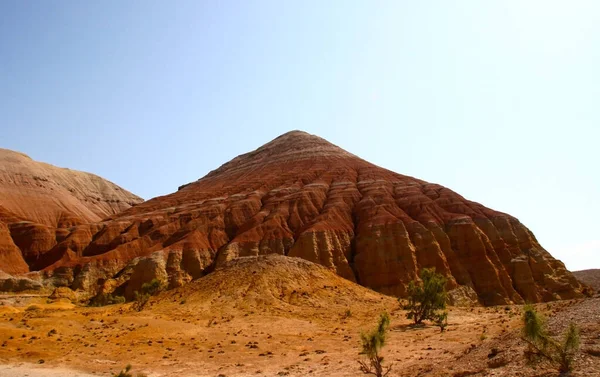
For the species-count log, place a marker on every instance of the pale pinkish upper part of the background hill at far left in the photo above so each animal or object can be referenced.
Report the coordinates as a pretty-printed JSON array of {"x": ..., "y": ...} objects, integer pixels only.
[{"x": 57, "y": 197}]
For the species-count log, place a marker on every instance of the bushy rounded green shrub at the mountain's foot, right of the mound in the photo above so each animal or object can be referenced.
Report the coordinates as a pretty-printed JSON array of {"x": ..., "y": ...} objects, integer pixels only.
[{"x": 426, "y": 299}]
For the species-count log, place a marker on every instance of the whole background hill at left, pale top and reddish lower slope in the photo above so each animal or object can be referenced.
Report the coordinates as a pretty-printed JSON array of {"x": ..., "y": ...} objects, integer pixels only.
[{"x": 40, "y": 203}]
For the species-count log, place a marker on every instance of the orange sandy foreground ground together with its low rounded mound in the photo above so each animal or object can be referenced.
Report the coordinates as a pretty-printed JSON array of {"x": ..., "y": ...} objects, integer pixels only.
[{"x": 272, "y": 315}]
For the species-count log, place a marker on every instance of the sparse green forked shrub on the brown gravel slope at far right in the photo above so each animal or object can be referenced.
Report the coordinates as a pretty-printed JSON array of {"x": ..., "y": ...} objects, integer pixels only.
[{"x": 542, "y": 346}]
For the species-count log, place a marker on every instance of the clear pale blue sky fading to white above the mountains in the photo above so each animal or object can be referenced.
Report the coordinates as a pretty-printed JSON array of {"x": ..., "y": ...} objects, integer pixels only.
[{"x": 497, "y": 100}]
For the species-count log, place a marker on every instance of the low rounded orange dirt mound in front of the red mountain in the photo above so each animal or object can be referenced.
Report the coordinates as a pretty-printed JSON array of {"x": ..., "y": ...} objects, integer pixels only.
[{"x": 272, "y": 284}]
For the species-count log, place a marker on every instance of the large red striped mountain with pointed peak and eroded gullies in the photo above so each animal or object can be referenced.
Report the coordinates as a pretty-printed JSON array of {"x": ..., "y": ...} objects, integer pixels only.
[{"x": 302, "y": 196}]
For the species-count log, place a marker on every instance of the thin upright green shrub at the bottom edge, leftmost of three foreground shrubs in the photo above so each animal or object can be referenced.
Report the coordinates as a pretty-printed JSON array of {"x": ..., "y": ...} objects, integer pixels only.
[{"x": 372, "y": 343}]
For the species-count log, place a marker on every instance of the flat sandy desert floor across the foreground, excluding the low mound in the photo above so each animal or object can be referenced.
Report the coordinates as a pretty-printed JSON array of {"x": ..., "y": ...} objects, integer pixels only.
[{"x": 41, "y": 337}]
